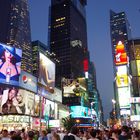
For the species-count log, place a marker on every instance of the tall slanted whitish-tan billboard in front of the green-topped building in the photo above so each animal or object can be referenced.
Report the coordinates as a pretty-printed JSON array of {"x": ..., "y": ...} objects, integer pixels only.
[{"x": 46, "y": 72}]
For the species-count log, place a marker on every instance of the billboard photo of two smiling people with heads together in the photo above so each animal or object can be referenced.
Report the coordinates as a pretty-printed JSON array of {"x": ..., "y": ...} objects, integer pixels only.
[{"x": 16, "y": 101}]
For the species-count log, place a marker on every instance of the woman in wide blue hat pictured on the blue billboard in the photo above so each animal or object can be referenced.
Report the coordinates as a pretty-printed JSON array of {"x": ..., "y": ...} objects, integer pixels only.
[{"x": 9, "y": 69}]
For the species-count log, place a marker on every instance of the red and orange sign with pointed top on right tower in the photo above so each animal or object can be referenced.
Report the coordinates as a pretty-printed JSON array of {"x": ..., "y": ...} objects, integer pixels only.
[{"x": 120, "y": 56}]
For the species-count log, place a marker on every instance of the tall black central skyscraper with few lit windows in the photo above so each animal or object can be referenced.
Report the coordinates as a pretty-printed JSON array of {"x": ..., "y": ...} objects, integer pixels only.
[{"x": 68, "y": 37}]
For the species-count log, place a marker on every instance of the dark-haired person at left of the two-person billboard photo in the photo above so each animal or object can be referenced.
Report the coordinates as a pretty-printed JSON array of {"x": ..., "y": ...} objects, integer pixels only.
[{"x": 9, "y": 107}]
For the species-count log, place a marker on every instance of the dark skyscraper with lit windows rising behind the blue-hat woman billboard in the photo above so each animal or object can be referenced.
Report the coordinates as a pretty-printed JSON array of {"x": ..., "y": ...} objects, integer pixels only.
[{"x": 15, "y": 28}]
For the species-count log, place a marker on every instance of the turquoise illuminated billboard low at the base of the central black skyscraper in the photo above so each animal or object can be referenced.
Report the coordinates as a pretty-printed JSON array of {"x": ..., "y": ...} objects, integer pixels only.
[{"x": 80, "y": 112}]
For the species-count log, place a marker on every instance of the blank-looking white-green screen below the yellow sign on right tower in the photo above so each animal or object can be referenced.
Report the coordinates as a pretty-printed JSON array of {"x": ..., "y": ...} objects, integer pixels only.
[{"x": 124, "y": 97}]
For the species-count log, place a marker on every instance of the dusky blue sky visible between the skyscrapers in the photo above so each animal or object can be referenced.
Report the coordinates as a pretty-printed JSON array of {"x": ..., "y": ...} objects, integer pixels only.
[{"x": 98, "y": 31}]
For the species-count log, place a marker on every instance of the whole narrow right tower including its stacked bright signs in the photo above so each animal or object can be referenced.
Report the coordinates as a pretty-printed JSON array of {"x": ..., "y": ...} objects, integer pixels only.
[{"x": 120, "y": 33}]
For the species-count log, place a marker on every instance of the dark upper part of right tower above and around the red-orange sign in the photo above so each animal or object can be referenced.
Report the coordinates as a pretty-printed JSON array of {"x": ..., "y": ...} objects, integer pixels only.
[{"x": 120, "y": 30}]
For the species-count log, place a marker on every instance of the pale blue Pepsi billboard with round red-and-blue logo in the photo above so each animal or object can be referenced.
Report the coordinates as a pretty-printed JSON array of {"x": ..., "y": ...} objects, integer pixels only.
[{"x": 28, "y": 81}]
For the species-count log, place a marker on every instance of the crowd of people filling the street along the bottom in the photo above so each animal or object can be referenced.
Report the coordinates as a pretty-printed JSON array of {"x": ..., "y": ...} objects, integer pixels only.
[{"x": 125, "y": 133}]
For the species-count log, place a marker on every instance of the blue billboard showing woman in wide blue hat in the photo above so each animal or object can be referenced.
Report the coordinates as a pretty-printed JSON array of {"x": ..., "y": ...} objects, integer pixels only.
[{"x": 10, "y": 64}]
